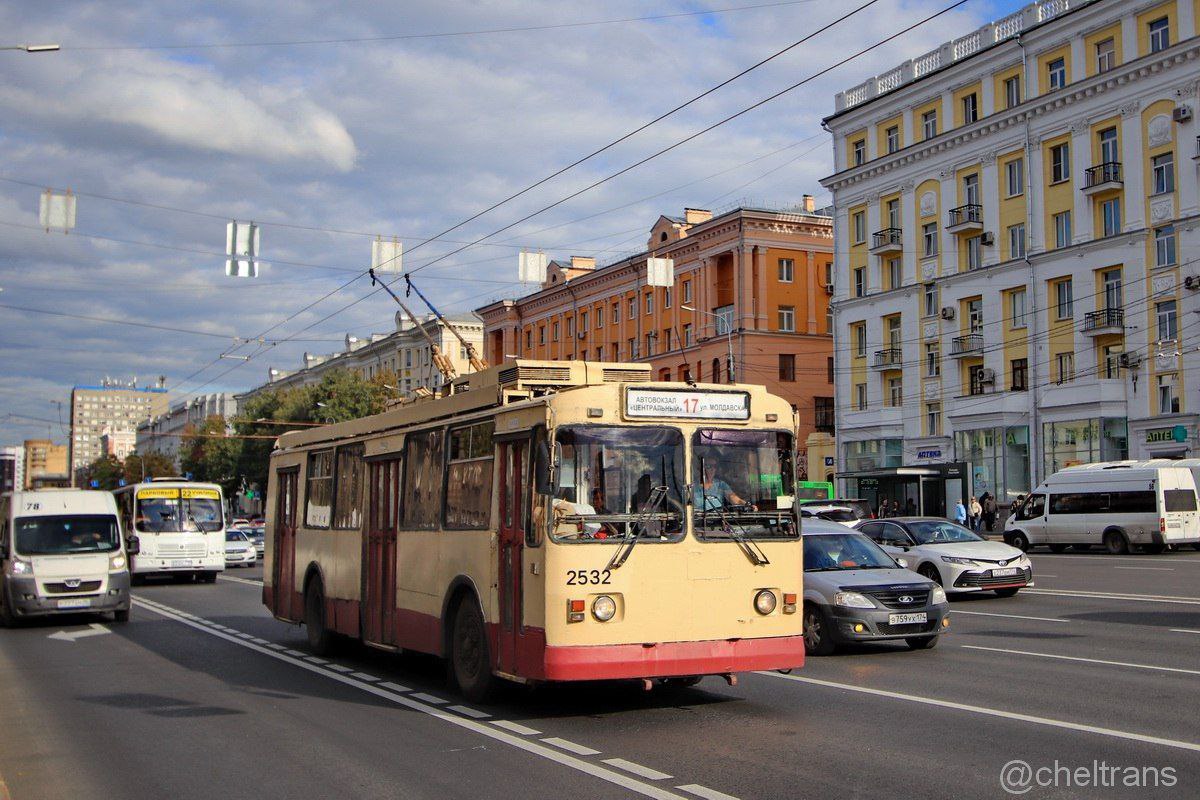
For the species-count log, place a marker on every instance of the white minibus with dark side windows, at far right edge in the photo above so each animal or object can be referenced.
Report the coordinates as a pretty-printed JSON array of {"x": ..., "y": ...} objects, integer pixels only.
[{"x": 1120, "y": 506}]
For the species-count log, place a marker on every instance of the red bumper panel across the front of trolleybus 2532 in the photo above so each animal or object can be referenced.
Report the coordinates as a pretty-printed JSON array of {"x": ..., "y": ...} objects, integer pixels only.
[{"x": 664, "y": 660}]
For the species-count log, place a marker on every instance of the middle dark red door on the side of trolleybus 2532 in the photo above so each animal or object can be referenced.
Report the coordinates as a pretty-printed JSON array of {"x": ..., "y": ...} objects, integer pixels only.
[{"x": 380, "y": 560}]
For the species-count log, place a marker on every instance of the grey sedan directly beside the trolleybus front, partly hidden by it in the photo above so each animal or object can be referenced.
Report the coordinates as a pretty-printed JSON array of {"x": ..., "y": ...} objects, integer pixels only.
[{"x": 855, "y": 592}]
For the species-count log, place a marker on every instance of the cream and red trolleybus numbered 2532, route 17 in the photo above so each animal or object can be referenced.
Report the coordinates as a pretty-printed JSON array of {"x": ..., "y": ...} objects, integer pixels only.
[{"x": 548, "y": 522}]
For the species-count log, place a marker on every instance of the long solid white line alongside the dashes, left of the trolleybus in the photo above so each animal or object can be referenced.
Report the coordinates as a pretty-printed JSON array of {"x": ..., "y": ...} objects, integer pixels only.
[{"x": 409, "y": 701}]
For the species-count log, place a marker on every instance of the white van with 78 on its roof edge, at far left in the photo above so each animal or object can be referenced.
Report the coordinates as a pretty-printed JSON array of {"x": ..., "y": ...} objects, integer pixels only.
[{"x": 62, "y": 551}]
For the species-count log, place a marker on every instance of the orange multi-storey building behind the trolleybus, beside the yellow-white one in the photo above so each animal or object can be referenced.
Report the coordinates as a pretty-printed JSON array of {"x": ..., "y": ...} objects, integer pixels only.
[{"x": 752, "y": 282}]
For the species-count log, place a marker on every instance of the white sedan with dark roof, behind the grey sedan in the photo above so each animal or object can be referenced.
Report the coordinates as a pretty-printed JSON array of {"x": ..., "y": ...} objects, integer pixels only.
[{"x": 952, "y": 556}]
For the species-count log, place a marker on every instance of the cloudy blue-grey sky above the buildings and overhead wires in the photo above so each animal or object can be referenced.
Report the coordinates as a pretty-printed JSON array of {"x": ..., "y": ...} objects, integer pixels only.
[{"x": 404, "y": 133}]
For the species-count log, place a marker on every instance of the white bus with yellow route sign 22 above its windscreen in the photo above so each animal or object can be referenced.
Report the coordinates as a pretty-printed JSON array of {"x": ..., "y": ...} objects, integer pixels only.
[{"x": 181, "y": 528}]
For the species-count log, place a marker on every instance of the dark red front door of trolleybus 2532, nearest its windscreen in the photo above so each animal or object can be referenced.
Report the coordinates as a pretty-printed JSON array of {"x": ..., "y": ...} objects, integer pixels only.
[{"x": 514, "y": 497}]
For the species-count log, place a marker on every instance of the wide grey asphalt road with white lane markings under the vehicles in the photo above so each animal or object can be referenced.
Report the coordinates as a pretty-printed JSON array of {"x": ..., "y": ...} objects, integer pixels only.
[{"x": 203, "y": 695}]
